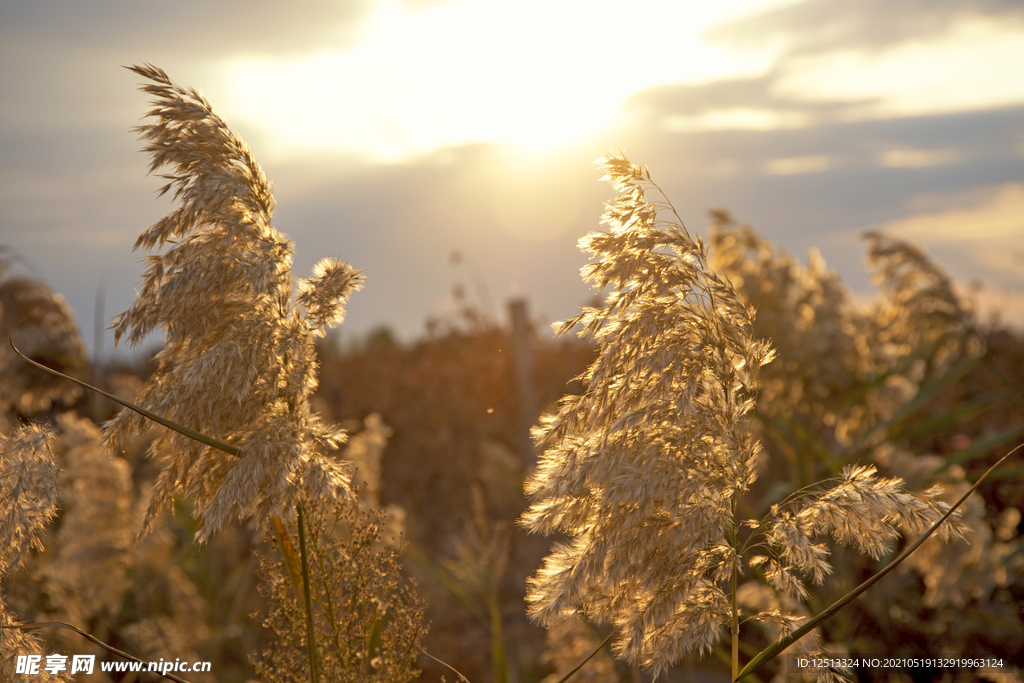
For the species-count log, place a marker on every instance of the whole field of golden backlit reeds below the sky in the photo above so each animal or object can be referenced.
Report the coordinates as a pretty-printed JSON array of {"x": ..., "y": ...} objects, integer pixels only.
[{"x": 732, "y": 464}]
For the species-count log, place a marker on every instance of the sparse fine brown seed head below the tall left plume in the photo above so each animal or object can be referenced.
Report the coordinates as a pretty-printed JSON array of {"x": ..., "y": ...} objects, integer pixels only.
[{"x": 368, "y": 619}]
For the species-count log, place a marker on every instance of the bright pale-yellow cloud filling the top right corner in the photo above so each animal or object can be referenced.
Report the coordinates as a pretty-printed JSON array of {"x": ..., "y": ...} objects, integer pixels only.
[{"x": 876, "y": 59}]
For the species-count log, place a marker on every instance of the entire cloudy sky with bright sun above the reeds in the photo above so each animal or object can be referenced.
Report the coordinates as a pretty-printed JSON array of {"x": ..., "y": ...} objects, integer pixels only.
[{"x": 399, "y": 133}]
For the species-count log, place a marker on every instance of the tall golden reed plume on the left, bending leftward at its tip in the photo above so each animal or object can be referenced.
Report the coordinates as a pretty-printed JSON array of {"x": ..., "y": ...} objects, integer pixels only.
[{"x": 239, "y": 361}]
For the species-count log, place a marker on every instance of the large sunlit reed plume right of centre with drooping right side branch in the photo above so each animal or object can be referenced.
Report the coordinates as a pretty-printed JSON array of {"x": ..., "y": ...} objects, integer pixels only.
[{"x": 645, "y": 472}]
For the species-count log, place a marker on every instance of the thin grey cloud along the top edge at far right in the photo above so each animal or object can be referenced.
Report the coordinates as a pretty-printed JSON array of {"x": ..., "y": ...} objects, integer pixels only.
[{"x": 833, "y": 26}]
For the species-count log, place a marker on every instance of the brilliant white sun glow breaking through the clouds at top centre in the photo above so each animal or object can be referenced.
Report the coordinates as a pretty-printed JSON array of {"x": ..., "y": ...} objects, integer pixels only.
[{"x": 541, "y": 76}]
